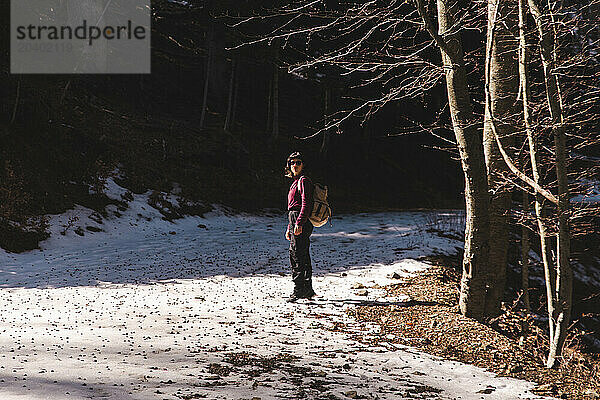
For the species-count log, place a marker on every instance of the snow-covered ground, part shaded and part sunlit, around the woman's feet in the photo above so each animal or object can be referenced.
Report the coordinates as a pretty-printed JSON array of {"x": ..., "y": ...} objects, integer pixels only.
[{"x": 150, "y": 309}]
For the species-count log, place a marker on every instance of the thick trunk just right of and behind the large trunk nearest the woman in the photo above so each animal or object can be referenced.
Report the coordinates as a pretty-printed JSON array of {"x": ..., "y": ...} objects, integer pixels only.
[{"x": 503, "y": 87}]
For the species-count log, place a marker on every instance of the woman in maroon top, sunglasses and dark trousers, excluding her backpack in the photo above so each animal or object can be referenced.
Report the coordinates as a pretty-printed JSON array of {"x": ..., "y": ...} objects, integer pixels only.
[{"x": 299, "y": 227}]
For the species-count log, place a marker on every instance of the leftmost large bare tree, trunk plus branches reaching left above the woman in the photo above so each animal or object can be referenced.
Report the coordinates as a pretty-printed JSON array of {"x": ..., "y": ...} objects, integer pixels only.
[{"x": 401, "y": 66}]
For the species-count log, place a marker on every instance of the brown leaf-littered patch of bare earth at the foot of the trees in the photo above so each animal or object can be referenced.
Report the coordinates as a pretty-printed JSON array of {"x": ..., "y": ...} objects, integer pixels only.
[{"x": 516, "y": 347}]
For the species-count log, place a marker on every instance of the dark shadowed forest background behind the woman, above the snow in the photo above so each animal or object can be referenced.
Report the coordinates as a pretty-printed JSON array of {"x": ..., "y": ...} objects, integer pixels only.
[{"x": 61, "y": 133}]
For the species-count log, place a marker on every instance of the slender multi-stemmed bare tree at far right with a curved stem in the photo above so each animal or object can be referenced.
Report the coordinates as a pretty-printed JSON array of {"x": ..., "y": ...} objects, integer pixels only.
[{"x": 558, "y": 273}]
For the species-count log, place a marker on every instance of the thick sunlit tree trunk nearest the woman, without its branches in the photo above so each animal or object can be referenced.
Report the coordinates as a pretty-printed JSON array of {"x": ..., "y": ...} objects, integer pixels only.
[{"x": 472, "y": 290}]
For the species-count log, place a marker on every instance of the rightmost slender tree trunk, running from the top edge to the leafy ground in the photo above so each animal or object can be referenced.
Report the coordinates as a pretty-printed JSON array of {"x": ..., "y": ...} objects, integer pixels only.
[{"x": 564, "y": 274}]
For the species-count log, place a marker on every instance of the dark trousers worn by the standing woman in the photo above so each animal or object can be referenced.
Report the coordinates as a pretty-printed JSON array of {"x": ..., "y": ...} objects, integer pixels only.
[{"x": 300, "y": 256}]
